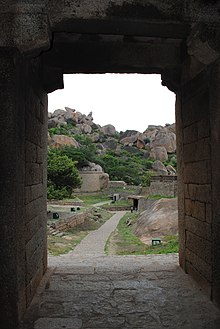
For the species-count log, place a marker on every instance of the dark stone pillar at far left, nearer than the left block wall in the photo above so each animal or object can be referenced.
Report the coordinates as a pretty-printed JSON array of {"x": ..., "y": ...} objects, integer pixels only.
[{"x": 12, "y": 169}]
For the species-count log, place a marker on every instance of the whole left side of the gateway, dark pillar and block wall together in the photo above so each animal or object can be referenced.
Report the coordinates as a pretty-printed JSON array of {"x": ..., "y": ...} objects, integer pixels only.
[{"x": 23, "y": 147}]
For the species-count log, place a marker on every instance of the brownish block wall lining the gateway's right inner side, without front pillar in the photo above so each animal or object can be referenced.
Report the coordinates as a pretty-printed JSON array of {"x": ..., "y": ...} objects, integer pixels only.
[{"x": 196, "y": 245}]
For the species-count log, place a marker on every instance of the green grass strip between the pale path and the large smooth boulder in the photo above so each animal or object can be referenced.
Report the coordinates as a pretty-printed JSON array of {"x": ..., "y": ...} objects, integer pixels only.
[{"x": 124, "y": 242}]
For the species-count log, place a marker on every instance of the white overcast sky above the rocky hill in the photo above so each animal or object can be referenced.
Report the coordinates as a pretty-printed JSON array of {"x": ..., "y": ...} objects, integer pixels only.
[{"x": 128, "y": 101}]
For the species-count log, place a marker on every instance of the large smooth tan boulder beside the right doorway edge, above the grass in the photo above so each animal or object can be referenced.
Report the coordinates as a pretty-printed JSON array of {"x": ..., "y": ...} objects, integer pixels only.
[{"x": 158, "y": 220}]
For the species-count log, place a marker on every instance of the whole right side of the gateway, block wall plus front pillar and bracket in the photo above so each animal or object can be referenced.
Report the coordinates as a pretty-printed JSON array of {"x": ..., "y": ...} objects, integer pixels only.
[{"x": 200, "y": 120}]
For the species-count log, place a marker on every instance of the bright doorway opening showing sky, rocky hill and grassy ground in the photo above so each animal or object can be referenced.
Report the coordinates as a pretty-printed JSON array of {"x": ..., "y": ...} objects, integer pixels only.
[{"x": 119, "y": 131}]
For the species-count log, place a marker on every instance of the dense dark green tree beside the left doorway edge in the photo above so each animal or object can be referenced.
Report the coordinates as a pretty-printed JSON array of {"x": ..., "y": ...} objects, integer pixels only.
[{"x": 62, "y": 175}]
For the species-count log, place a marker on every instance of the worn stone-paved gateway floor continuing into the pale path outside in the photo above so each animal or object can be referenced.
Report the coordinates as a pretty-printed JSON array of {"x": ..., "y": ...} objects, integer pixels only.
[{"x": 88, "y": 291}]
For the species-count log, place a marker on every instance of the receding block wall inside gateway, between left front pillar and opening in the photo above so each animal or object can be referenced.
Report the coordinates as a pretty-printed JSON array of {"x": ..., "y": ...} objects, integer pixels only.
[{"x": 35, "y": 188}]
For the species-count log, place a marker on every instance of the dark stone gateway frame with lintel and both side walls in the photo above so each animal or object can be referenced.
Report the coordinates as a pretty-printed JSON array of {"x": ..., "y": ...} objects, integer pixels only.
[{"x": 41, "y": 41}]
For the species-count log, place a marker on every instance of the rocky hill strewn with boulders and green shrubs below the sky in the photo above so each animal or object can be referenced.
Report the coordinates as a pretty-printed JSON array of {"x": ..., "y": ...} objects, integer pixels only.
[{"x": 154, "y": 148}]
